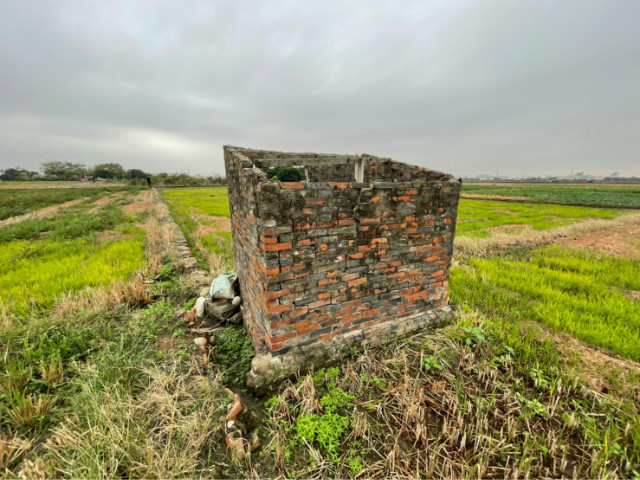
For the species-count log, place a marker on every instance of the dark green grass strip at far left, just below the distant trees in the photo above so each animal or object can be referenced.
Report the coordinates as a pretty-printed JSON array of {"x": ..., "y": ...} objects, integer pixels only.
[{"x": 14, "y": 202}]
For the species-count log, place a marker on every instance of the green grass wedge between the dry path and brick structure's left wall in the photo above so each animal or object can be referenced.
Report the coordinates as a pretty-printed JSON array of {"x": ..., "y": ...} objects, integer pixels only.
[{"x": 201, "y": 214}]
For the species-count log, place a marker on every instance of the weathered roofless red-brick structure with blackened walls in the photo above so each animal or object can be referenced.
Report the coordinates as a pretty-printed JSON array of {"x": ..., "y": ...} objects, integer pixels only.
[{"x": 359, "y": 253}]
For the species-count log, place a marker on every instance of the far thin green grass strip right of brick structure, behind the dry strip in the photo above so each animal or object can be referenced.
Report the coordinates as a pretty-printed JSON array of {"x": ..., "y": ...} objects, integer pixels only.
[{"x": 475, "y": 217}]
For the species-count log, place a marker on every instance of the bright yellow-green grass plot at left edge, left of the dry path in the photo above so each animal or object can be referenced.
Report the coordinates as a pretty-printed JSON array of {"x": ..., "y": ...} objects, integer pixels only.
[{"x": 40, "y": 259}]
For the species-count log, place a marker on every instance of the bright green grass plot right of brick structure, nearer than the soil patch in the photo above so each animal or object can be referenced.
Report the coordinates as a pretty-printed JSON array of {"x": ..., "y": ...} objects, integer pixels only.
[{"x": 579, "y": 293}]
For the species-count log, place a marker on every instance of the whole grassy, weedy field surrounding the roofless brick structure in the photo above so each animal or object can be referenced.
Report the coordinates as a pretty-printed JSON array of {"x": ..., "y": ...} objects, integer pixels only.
[{"x": 535, "y": 377}]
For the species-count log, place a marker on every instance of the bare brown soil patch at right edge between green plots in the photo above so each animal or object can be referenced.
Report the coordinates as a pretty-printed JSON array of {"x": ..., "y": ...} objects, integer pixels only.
[{"x": 621, "y": 241}]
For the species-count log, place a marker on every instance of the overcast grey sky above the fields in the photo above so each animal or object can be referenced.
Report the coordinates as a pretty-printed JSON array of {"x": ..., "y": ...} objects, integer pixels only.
[{"x": 514, "y": 86}]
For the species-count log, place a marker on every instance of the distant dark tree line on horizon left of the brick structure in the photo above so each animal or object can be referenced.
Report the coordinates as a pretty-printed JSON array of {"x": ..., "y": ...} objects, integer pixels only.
[{"x": 68, "y": 171}]
